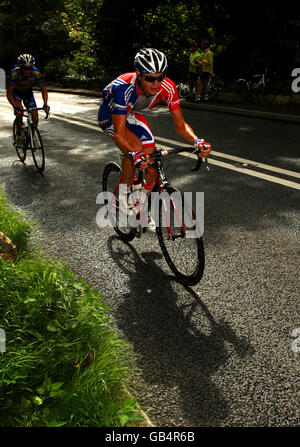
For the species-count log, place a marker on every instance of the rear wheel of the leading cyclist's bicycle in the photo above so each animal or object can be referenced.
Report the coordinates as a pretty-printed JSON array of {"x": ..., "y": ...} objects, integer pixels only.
[{"x": 111, "y": 176}]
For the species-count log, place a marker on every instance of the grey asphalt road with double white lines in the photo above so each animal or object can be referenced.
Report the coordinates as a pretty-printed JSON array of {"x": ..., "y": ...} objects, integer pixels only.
[{"x": 225, "y": 352}]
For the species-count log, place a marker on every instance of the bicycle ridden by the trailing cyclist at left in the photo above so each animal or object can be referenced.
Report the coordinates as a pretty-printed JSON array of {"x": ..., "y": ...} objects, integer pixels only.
[{"x": 33, "y": 140}]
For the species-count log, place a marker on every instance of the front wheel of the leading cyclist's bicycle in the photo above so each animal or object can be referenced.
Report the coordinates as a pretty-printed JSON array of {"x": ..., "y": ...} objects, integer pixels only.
[{"x": 179, "y": 237}]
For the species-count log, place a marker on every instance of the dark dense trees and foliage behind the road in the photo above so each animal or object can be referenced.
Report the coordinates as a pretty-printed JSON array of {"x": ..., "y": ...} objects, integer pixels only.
[{"x": 98, "y": 38}]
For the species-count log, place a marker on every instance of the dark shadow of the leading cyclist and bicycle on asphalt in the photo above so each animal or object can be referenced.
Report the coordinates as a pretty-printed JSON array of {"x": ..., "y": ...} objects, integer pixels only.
[{"x": 178, "y": 343}]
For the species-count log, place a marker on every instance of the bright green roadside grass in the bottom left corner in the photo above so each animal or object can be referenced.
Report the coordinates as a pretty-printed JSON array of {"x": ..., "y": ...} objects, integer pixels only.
[{"x": 63, "y": 364}]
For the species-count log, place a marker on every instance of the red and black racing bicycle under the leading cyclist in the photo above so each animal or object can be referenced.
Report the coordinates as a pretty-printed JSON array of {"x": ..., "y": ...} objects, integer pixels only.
[{"x": 177, "y": 227}]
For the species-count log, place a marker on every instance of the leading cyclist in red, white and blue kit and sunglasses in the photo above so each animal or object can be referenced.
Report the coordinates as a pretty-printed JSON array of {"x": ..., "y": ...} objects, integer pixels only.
[{"x": 127, "y": 98}]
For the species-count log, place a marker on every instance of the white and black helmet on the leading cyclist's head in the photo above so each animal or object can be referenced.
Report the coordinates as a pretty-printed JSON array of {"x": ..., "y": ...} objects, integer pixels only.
[{"x": 150, "y": 60}]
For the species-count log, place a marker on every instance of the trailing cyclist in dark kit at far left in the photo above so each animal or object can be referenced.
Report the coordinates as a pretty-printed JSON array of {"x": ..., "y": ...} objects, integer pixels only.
[{"x": 21, "y": 79}]
